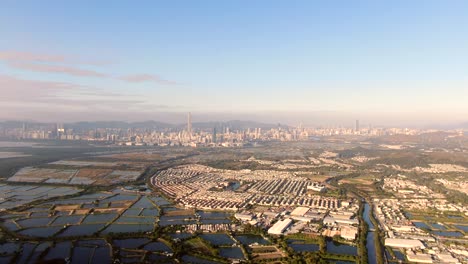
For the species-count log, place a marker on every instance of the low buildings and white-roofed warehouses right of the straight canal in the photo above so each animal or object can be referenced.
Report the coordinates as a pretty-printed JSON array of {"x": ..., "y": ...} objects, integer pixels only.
[{"x": 422, "y": 241}]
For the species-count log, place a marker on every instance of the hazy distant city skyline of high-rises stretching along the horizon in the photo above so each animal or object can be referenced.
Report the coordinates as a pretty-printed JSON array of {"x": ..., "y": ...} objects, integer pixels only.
[{"x": 208, "y": 134}]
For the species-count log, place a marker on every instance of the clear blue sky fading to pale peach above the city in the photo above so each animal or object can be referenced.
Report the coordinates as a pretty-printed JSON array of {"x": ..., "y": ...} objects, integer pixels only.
[{"x": 320, "y": 62}]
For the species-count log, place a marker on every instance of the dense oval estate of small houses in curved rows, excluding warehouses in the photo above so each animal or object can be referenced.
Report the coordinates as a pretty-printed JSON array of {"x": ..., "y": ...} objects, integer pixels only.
[{"x": 197, "y": 186}]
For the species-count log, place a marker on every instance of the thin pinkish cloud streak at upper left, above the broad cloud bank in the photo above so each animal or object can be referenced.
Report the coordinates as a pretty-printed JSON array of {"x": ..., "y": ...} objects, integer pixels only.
[{"x": 37, "y": 67}]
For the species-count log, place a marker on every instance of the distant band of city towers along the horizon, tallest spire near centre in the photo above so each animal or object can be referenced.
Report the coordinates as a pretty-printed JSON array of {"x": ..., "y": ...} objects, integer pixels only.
[{"x": 189, "y": 135}]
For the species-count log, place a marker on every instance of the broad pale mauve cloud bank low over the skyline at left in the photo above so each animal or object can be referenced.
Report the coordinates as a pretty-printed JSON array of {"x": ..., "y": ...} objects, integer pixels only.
[{"x": 21, "y": 94}]
